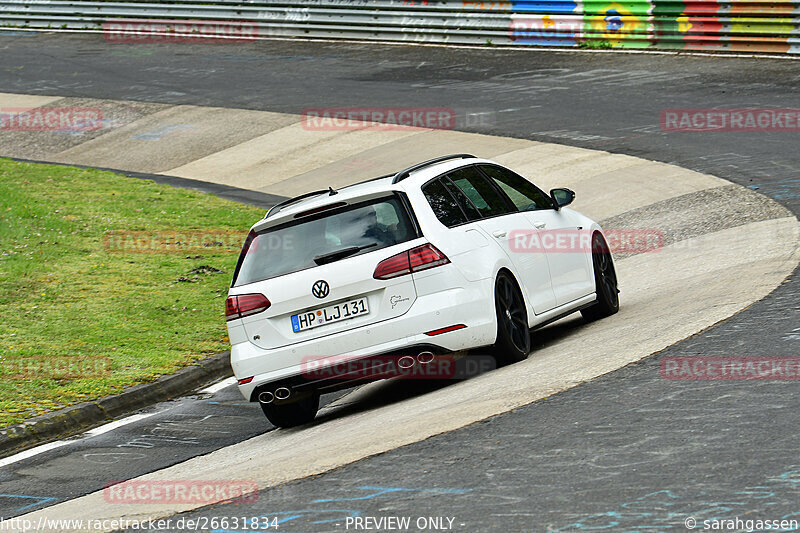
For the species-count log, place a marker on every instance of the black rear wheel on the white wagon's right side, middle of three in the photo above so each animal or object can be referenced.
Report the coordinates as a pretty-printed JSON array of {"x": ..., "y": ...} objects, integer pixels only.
[{"x": 513, "y": 336}]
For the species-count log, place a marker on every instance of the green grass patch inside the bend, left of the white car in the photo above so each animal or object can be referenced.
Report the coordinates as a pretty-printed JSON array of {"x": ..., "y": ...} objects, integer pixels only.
[{"x": 106, "y": 282}]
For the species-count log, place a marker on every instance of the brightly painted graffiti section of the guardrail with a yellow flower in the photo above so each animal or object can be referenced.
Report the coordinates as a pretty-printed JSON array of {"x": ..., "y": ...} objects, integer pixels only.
[{"x": 722, "y": 25}]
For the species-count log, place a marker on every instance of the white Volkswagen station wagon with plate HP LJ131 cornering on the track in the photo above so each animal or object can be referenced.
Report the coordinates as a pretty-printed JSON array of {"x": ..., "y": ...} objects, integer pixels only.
[{"x": 442, "y": 257}]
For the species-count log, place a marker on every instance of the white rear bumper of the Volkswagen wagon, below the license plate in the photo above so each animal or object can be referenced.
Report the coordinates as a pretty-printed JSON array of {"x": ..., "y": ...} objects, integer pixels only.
[{"x": 457, "y": 305}]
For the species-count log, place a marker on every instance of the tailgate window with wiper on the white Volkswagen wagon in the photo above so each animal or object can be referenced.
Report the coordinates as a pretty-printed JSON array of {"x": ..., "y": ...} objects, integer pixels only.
[{"x": 292, "y": 247}]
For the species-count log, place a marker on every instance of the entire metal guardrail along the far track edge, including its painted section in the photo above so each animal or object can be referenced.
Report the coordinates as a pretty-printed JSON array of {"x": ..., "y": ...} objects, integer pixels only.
[{"x": 711, "y": 25}]
